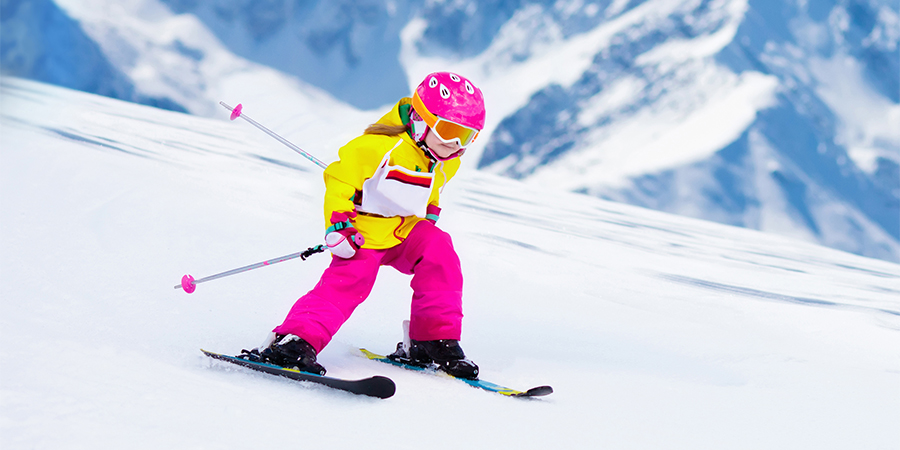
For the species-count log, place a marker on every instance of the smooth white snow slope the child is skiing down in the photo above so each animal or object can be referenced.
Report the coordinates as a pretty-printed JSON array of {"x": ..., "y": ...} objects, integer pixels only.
[{"x": 656, "y": 331}]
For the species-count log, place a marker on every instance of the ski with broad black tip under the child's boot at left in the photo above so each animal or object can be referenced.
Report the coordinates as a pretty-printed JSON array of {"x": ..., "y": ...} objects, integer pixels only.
[{"x": 376, "y": 386}]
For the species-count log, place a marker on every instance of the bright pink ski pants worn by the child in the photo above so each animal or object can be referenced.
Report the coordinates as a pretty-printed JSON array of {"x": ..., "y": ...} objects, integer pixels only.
[{"x": 427, "y": 254}]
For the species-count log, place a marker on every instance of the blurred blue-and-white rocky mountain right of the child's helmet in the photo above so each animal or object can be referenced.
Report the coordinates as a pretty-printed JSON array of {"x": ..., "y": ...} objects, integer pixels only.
[{"x": 778, "y": 116}]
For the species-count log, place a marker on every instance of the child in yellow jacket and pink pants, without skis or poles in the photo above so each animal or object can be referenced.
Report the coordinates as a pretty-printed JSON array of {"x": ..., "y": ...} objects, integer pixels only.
[{"x": 381, "y": 206}]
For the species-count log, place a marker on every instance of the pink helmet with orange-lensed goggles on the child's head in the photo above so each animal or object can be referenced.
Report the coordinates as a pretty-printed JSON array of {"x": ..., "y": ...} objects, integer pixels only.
[{"x": 451, "y": 106}]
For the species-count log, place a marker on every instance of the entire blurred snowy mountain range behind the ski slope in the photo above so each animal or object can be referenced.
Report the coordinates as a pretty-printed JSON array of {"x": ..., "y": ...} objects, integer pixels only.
[{"x": 781, "y": 116}]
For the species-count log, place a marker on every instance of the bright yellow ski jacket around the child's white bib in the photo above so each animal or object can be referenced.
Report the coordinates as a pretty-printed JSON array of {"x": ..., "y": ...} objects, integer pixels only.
[{"x": 360, "y": 159}]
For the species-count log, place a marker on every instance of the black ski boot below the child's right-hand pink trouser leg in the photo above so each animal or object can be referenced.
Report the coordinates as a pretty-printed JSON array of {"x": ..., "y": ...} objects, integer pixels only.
[{"x": 445, "y": 354}]
